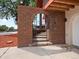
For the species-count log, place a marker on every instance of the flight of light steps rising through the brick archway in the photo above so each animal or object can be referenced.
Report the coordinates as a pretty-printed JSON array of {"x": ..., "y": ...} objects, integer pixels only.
[{"x": 41, "y": 40}]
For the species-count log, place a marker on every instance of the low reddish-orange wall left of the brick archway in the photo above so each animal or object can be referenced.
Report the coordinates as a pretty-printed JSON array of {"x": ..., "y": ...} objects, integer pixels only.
[{"x": 8, "y": 40}]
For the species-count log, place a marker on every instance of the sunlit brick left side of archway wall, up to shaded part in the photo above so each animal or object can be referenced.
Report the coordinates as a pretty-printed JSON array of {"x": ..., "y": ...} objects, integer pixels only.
[{"x": 25, "y": 18}]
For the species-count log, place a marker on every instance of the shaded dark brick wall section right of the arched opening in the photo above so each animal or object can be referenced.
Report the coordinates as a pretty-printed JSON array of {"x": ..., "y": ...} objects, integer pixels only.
[{"x": 56, "y": 29}]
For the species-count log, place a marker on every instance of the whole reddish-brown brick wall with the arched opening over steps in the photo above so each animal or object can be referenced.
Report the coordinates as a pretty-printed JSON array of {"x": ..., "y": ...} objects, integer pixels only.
[{"x": 56, "y": 25}]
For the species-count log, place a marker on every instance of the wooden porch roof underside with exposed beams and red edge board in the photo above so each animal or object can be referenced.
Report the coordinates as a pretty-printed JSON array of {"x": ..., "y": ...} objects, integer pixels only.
[{"x": 61, "y": 5}]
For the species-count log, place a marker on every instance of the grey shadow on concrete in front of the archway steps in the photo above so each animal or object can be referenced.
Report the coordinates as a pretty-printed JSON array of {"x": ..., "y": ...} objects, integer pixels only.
[{"x": 44, "y": 51}]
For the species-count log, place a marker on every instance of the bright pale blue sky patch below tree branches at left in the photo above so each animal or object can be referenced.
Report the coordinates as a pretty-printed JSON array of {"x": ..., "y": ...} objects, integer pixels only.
[{"x": 8, "y": 23}]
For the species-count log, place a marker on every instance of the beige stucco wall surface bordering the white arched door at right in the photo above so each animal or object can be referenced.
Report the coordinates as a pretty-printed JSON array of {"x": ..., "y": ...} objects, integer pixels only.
[{"x": 71, "y": 16}]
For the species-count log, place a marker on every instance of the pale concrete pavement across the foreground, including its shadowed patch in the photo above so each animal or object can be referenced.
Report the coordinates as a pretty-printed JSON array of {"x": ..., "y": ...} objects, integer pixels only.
[{"x": 46, "y": 52}]
